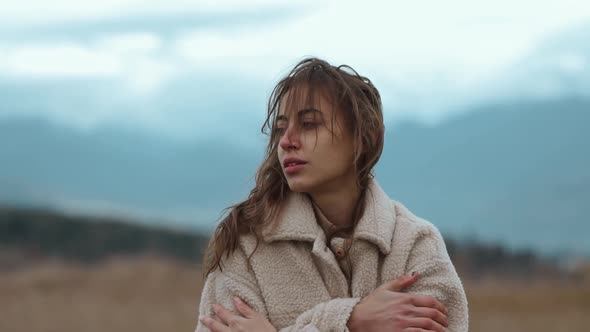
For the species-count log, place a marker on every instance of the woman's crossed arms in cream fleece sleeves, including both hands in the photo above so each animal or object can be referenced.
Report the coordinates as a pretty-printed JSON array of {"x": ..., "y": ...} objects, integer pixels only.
[{"x": 432, "y": 300}]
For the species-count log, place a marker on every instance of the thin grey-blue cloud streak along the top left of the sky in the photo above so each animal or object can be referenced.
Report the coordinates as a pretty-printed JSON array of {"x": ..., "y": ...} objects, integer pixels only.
[{"x": 166, "y": 24}]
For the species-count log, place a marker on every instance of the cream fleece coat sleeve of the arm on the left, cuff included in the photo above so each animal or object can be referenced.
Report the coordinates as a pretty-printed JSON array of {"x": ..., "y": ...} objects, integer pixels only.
[{"x": 237, "y": 280}]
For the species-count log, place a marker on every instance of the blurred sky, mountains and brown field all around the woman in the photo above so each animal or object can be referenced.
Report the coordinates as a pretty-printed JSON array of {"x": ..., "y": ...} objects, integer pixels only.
[{"x": 127, "y": 126}]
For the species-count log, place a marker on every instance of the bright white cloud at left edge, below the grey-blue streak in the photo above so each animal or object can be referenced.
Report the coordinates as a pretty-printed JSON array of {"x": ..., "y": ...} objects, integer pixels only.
[{"x": 131, "y": 59}]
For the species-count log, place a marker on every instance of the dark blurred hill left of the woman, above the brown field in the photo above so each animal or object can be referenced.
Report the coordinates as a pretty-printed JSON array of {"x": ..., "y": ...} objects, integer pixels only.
[{"x": 41, "y": 234}]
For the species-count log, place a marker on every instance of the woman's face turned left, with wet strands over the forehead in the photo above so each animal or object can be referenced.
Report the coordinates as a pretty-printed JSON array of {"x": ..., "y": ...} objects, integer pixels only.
[{"x": 316, "y": 154}]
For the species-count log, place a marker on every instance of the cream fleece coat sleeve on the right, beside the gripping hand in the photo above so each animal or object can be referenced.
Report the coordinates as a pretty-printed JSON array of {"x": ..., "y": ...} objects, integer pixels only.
[{"x": 438, "y": 277}]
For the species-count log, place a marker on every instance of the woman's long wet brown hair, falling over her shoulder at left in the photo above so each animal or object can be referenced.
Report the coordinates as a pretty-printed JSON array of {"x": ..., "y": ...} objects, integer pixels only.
[{"x": 359, "y": 102}]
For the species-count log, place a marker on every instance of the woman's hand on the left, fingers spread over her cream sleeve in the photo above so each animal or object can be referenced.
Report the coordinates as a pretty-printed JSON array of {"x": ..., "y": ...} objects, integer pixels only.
[{"x": 226, "y": 321}]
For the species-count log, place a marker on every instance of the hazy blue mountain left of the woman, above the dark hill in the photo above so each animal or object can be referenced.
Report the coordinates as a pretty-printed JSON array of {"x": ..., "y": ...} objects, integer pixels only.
[{"x": 116, "y": 171}]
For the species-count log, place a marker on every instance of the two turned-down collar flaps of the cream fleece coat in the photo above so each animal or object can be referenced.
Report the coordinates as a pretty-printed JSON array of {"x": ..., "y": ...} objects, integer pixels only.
[{"x": 297, "y": 222}]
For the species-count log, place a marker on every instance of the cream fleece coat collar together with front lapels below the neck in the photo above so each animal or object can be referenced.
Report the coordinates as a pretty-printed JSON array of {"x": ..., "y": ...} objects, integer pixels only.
[{"x": 371, "y": 240}]
